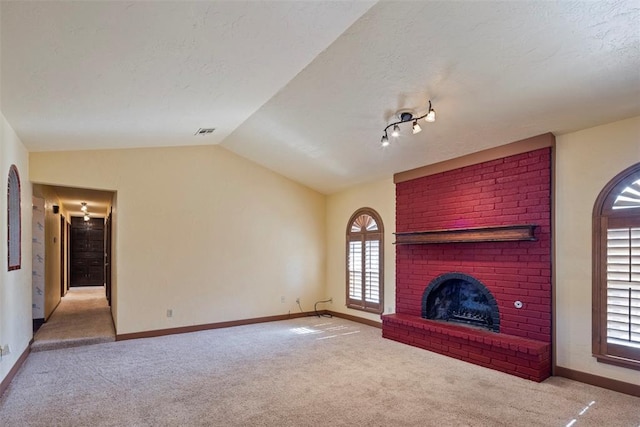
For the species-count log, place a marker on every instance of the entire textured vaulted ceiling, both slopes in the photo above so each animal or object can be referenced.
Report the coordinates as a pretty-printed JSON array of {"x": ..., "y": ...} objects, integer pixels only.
[{"x": 305, "y": 88}]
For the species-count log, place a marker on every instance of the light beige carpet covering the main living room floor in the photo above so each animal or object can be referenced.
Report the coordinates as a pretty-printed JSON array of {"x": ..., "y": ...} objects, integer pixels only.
[{"x": 298, "y": 372}]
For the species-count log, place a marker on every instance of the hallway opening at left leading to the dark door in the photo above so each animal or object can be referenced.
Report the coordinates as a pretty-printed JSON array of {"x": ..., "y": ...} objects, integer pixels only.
[{"x": 76, "y": 256}]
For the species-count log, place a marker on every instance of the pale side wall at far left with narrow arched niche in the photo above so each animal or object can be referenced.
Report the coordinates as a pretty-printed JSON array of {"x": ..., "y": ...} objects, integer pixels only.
[{"x": 15, "y": 286}]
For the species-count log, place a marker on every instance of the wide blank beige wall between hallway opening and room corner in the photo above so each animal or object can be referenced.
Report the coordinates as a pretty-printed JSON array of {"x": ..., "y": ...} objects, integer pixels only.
[{"x": 200, "y": 231}]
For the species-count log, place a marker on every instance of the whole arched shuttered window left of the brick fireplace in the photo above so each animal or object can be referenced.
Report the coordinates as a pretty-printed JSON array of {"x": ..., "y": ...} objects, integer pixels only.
[{"x": 365, "y": 245}]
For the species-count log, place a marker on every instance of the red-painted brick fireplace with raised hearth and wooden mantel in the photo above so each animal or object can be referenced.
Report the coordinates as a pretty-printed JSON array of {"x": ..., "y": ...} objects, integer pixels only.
[{"x": 484, "y": 230}]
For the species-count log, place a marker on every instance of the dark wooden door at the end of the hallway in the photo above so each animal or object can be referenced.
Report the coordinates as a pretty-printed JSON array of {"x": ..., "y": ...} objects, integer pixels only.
[{"x": 87, "y": 252}]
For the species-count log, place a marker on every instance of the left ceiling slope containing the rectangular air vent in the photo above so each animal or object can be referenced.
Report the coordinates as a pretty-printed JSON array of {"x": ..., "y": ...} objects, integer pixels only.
[{"x": 96, "y": 74}]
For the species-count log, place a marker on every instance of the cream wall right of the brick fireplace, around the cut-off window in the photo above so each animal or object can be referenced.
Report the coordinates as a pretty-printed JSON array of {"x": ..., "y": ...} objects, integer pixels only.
[{"x": 585, "y": 162}]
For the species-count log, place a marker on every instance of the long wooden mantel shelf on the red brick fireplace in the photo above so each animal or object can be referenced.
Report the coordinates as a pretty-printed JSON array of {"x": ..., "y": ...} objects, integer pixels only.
[{"x": 503, "y": 233}]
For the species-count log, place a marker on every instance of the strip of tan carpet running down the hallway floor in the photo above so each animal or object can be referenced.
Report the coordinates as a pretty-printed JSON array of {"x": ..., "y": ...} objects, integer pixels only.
[{"x": 83, "y": 317}]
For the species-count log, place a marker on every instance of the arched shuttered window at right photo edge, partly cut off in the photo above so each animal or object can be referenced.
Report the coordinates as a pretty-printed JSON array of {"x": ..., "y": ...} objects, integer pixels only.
[{"x": 616, "y": 271}]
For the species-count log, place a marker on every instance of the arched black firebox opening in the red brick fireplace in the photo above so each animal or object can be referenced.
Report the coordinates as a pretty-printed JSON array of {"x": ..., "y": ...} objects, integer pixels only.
[{"x": 460, "y": 298}]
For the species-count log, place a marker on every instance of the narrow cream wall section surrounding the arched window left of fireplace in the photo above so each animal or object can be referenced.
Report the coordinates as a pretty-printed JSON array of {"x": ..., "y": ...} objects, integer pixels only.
[{"x": 380, "y": 196}]
